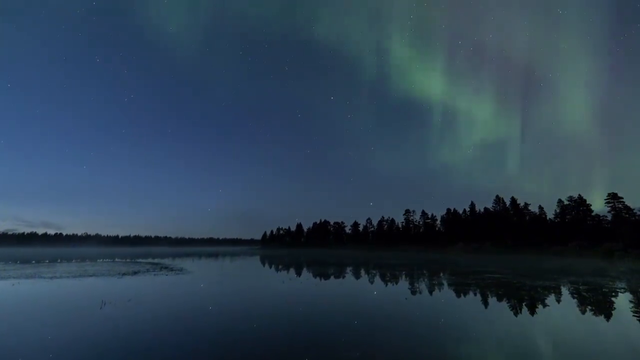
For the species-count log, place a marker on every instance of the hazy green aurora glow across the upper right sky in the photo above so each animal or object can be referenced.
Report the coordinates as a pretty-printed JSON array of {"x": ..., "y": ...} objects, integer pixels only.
[{"x": 506, "y": 82}]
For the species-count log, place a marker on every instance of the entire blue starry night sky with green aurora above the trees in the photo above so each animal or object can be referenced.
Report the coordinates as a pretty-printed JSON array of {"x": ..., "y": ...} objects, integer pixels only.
[{"x": 229, "y": 117}]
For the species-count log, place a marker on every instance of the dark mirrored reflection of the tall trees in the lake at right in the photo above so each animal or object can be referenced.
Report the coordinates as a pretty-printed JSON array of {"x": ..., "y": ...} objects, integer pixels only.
[{"x": 594, "y": 289}]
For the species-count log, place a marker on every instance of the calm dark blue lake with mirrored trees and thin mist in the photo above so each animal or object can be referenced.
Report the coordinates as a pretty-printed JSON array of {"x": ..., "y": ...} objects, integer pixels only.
[{"x": 235, "y": 303}]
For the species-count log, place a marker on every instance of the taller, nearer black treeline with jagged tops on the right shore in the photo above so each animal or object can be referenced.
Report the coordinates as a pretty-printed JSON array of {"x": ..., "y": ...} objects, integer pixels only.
[{"x": 504, "y": 224}]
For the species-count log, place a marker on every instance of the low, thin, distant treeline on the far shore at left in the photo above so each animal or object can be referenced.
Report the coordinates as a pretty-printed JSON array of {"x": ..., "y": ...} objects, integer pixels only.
[{"x": 85, "y": 239}]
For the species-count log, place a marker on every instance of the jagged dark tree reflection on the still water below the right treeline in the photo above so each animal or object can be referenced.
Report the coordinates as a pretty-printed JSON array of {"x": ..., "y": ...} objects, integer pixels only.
[{"x": 520, "y": 293}]
